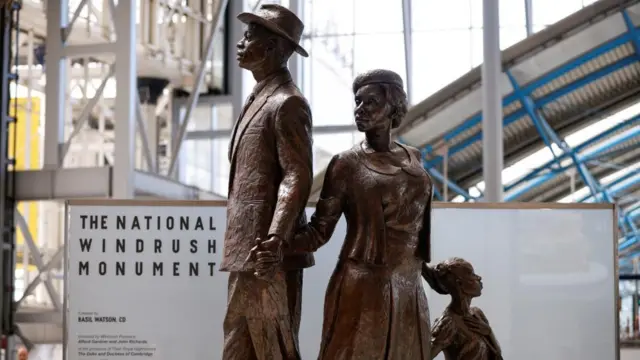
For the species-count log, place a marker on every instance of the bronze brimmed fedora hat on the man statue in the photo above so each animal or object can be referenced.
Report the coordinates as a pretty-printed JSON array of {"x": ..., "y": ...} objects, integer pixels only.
[{"x": 279, "y": 20}]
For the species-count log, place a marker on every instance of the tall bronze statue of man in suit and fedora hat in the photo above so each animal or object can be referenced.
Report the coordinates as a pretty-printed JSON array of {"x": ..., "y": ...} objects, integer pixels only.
[{"x": 269, "y": 184}]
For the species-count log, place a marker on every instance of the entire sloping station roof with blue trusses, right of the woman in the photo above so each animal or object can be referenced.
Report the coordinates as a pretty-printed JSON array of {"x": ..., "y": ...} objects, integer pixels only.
[{"x": 571, "y": 119}]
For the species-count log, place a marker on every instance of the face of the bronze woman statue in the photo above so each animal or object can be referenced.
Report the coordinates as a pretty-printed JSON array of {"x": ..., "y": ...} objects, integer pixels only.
[{"x": 372, "y": 109}]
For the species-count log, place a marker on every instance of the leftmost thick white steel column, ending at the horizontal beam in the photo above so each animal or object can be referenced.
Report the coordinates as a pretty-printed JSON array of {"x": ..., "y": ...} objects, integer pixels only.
[{"x": 56, "y": 86}]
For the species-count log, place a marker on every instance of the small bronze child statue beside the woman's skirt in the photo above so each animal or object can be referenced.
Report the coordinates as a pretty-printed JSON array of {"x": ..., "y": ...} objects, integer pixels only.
[{"x": 463, "y": 331}]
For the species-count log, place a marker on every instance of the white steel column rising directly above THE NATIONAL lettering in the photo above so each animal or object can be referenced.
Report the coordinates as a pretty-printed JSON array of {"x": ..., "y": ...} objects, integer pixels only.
[{"x": 126, "y": 97}]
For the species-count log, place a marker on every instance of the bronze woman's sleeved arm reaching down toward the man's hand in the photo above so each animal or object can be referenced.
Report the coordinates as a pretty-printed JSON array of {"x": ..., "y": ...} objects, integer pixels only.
[{"x": 328, "y": 210}]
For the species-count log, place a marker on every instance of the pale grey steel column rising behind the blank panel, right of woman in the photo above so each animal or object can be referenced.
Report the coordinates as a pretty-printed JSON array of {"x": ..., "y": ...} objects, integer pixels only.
[{"x": 492, "y": 144}]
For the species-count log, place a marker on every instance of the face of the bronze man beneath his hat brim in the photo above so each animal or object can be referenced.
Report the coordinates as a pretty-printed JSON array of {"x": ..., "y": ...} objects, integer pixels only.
[{"x": 253, "y": 48}]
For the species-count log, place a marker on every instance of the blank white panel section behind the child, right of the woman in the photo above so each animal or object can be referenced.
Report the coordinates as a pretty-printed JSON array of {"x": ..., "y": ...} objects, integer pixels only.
[{"x": 549, "y": 277}]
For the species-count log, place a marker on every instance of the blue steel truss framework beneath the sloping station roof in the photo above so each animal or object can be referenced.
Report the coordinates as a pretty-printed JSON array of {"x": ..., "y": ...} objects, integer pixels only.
[{"x": 577, "y": 157}]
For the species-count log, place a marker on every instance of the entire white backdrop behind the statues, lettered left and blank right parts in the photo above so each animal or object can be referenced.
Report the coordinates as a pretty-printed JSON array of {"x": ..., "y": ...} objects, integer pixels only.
[{"x": 548, "y": 275}]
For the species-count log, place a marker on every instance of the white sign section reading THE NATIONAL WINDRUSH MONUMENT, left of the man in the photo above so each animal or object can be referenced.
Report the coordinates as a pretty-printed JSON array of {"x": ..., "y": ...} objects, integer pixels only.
[{"x": 143, "y": 282}]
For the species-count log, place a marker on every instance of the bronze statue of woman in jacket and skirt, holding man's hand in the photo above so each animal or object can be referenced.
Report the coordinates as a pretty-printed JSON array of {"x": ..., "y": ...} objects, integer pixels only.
[{"x": 375, "y": 304}]
